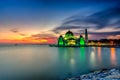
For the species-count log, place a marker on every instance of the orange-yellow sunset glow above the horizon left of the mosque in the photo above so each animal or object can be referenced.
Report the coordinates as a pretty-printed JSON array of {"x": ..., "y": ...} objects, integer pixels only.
[{"x": 25, "y": 35}]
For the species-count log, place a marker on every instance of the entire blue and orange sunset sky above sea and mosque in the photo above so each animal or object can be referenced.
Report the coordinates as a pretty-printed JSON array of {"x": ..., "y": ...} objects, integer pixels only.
[{"x": 42, "y": 21}]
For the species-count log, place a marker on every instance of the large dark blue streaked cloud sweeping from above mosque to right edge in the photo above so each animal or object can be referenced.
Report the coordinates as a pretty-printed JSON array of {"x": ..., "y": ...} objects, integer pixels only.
[{"x": 109, "y": 18}]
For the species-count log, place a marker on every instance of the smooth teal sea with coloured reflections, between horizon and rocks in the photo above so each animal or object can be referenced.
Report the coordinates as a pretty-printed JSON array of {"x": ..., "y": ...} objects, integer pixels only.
[{"x": 41, "y": 62}]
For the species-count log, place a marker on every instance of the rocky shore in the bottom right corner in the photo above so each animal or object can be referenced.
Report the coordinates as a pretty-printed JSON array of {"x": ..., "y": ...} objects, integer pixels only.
[{"x": 112, "y": 74}]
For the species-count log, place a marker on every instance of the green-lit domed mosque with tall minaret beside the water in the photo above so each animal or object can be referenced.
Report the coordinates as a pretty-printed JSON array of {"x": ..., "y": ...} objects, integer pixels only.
[{"x": 70, "y": 40}]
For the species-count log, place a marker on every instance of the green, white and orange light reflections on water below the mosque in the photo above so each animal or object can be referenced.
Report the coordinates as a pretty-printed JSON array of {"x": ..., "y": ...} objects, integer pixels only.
[{"x": 94, "y": 57}]
